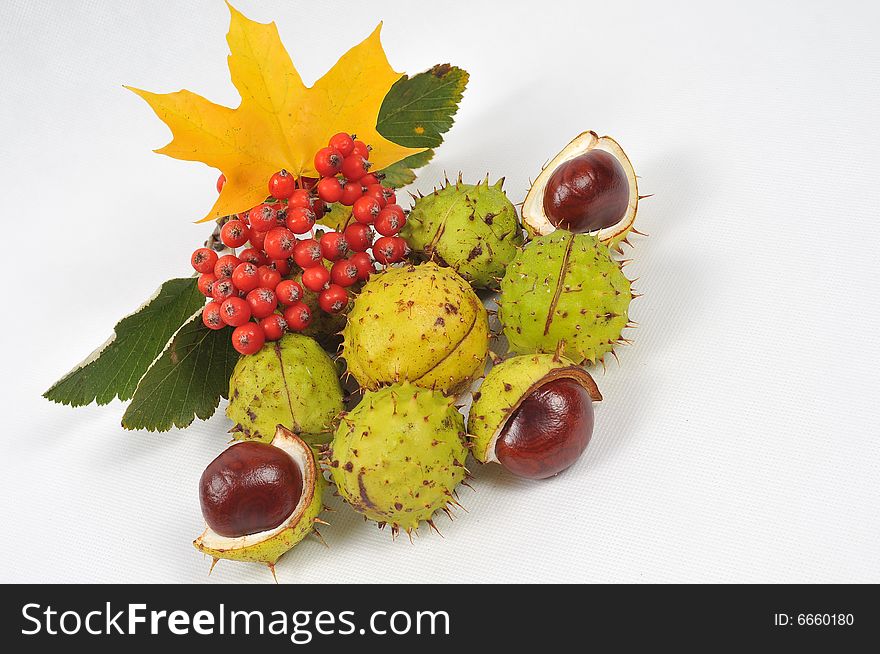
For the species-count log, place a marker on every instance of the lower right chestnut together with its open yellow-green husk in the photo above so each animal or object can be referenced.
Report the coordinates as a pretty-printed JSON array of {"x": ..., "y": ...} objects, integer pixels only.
[{"x": 533, "y": 414}]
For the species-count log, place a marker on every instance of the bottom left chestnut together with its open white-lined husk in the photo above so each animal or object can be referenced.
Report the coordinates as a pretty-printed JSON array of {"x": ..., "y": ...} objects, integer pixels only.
[{"x": 260, "y": 499}]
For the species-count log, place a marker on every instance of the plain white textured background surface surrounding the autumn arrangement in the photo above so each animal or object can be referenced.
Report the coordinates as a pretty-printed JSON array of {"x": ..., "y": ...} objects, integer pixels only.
[{"x": 738, "y": 440}]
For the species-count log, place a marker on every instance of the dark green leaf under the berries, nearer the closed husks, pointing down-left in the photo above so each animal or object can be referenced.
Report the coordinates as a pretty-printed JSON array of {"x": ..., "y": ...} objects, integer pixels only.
[{"x": 186, "y": 382}]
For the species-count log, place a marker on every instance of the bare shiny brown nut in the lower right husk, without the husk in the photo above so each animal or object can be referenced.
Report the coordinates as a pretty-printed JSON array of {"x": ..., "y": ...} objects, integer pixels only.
[{"x": 548, "y": 431}]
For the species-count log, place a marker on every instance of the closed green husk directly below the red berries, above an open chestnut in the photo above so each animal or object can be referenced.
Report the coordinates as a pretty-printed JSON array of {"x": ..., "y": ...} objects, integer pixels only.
[{"x": 291, "y": 382}]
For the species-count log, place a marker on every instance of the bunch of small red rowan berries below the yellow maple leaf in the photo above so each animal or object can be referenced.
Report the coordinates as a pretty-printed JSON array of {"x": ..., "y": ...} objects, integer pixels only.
[{"x": 252, "y": 290}]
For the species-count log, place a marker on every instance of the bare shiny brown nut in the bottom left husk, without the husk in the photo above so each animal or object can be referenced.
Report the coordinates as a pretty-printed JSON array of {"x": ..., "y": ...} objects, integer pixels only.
[{"x": 250, "y": 487}]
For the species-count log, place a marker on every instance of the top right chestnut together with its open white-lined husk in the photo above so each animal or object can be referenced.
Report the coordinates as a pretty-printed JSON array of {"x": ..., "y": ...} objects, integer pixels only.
[{"x": 590, "y": 186}]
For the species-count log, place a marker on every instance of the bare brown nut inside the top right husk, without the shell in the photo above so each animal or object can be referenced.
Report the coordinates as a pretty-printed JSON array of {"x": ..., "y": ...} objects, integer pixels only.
[{"x": 587, "y": 193}]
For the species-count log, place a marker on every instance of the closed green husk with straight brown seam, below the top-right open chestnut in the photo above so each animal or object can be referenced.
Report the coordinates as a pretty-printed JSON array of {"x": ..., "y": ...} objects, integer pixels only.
[{"x": 564, "y": 288}]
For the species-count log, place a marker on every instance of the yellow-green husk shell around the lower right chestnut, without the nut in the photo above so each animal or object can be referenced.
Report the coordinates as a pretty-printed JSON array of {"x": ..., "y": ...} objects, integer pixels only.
[{"x": 504, "y": 389}]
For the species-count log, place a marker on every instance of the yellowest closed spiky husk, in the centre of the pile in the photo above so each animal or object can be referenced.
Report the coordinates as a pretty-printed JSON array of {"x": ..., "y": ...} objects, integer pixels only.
[{"x": 422, "y": 324}]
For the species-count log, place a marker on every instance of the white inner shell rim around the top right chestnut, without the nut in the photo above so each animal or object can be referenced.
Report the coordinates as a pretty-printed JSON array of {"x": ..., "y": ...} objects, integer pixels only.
[{"x": 533, "y": 206}]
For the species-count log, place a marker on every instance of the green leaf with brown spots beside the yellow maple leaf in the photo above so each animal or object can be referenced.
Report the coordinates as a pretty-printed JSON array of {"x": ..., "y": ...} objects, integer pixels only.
[{"x": 416, "y": 112}]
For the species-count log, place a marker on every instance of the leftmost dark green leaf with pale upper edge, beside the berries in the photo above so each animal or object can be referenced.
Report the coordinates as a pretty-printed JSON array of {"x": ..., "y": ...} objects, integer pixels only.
[{"x": 115, "y": 368}]
